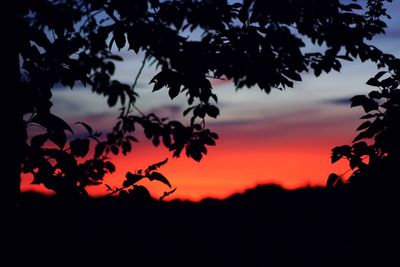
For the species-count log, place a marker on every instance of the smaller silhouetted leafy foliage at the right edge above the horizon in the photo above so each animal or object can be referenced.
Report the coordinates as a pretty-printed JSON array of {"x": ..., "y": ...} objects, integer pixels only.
[{"x": 375, "y": 152}]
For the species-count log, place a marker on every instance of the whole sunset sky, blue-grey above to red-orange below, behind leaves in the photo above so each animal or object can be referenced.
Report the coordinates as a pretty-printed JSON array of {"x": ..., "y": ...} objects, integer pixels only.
[{"x": 283, "y": 138}]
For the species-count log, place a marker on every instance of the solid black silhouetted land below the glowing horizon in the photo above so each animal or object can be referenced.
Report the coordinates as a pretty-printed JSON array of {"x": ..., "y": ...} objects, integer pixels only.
[{"x": 266, "y": 226}]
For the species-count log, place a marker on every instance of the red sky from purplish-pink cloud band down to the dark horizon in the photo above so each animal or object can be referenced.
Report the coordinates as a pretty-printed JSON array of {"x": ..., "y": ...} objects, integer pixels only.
[{"x": 281, "y": 150}]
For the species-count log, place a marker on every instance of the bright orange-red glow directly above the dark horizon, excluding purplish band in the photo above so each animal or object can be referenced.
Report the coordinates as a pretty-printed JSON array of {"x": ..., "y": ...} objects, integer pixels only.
[{"x": 234, "y": 165}]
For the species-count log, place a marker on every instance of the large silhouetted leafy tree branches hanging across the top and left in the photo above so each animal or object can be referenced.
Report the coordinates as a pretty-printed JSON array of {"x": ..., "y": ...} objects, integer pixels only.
[{"x": 253, "y": 43}]
